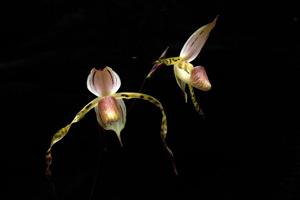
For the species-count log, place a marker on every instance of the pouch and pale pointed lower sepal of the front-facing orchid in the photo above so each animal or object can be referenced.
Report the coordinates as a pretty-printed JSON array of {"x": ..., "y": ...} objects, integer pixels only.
[{"x": 111, "y": 114}]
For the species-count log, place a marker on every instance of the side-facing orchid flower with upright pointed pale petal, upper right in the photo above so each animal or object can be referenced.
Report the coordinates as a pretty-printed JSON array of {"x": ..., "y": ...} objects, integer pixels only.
[{"x": 184, "y": 71}]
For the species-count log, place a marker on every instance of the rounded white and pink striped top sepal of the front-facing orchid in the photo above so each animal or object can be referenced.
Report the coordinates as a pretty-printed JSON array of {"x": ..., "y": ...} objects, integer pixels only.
[{"x": 103, "y": 82}]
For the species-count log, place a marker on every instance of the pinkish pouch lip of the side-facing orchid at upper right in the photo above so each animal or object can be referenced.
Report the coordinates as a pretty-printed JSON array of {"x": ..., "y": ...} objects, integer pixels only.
[{"x": 199, "y": 79}]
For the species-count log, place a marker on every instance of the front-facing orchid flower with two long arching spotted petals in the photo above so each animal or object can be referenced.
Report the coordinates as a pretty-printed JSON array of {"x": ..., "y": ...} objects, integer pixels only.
[{"x": 110, "y": 108}]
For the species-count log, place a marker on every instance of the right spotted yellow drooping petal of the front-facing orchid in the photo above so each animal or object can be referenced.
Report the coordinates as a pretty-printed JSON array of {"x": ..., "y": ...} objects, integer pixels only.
[{"x": 163, "y": 130}]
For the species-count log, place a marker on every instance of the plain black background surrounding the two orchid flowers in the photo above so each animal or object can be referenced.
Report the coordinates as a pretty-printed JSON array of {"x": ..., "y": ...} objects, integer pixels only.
[{"x": 246, "y": 148}]
